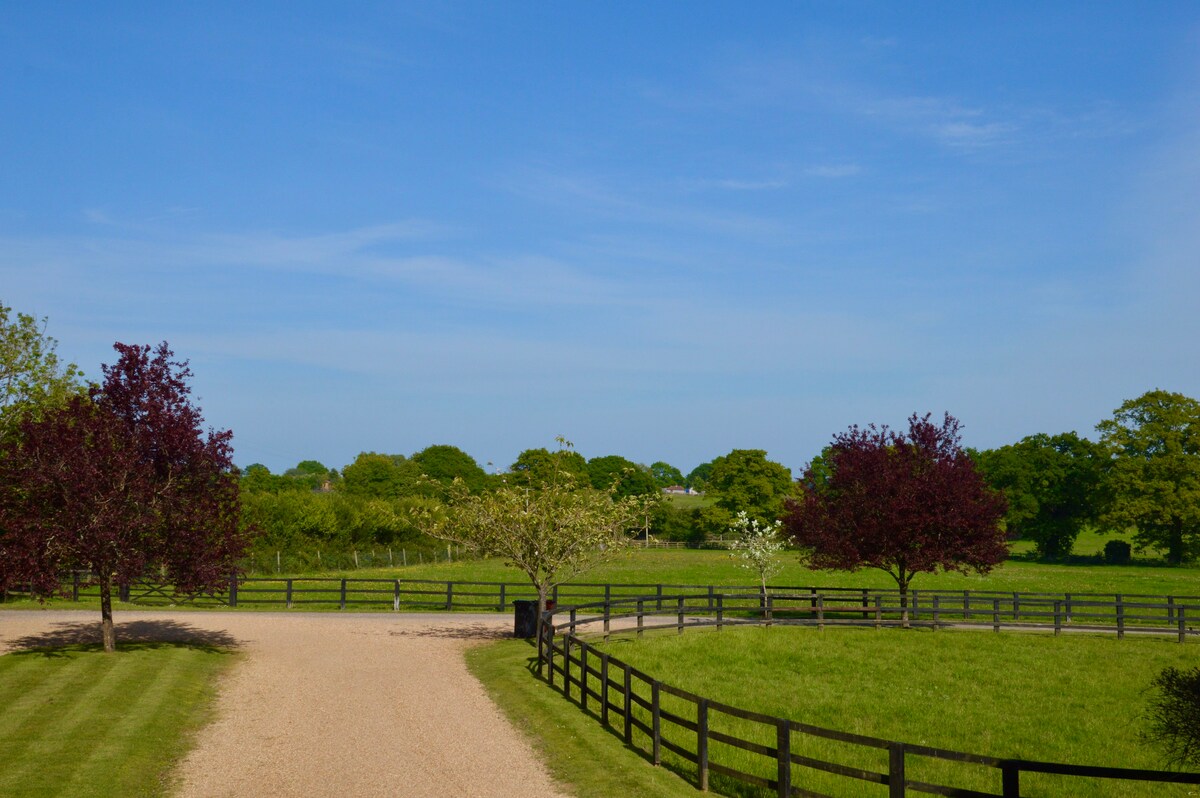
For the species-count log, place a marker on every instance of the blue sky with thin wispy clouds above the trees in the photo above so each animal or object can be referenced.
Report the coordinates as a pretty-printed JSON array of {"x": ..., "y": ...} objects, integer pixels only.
[{"x": 664, "y": 231}]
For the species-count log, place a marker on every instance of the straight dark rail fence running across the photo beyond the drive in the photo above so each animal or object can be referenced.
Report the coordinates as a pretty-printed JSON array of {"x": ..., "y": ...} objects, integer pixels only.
[{"x": 1136, "y": 614}]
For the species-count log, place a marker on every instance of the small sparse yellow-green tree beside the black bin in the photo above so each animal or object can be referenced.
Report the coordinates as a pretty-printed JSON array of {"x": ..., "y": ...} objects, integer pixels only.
[{"x": 553, "y": 530}]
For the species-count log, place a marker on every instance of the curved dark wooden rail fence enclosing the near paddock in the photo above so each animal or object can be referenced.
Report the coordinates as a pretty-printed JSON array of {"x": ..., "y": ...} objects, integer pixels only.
[{"x": 631, "y": 703}]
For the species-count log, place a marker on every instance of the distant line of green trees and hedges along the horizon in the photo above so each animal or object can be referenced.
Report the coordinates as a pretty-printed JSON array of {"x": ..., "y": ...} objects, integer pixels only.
[{"x": 1141, "y": 479}]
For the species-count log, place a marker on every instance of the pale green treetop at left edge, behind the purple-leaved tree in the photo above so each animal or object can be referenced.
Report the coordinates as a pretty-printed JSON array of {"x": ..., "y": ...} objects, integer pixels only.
[{"x": 32, "y": 377}]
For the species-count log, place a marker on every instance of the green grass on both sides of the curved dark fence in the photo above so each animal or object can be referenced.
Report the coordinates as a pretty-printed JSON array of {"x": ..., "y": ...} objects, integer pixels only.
[{"x": 1075, "y": 699}]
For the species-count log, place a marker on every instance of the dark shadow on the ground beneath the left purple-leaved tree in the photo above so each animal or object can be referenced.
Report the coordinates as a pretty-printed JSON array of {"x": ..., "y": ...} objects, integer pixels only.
[{"x": 130, "y": 637}]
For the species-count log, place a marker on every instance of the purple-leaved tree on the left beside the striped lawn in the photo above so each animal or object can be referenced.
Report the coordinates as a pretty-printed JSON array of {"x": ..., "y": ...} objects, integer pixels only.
[{"x": 122, "y": 483}]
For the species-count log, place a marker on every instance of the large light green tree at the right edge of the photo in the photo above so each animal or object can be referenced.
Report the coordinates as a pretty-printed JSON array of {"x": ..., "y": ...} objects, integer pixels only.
[{"x": 1154, "y": 477}]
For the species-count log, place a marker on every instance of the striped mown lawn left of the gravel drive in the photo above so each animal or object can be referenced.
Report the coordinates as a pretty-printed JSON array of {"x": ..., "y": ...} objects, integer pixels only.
[{"x": 77, "y": 723}]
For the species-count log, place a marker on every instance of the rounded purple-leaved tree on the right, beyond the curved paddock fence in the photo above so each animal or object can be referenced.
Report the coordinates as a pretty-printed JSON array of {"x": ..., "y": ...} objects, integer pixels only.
[{"x": 903, "y": 503}]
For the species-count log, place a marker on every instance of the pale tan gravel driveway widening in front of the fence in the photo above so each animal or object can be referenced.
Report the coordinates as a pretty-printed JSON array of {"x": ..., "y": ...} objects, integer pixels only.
[{"x": 333, "y": 704}]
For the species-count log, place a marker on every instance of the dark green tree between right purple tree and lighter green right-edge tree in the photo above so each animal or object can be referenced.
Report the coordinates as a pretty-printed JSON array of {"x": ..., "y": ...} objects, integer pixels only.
[{"x": 1053, "y": 485}]
